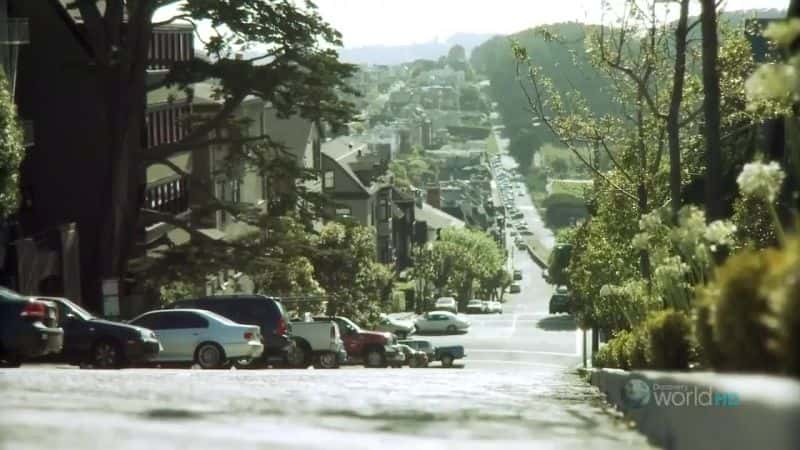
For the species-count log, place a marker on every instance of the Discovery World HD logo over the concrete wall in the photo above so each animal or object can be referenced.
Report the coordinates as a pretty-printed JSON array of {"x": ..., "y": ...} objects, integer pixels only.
[{"x": 638, "y": 393}]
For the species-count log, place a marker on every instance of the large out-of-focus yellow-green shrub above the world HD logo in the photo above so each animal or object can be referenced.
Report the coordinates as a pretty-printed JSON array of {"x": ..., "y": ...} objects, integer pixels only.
[{"x": 741, "y": 313}]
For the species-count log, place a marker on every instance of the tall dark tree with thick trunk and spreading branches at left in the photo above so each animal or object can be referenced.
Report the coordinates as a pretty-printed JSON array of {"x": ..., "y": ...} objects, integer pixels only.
[{"x": 297, "y": 71}]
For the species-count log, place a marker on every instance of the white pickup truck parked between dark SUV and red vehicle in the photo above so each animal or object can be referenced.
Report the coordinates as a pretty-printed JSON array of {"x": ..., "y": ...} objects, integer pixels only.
[{"x": 317, "y": 342}]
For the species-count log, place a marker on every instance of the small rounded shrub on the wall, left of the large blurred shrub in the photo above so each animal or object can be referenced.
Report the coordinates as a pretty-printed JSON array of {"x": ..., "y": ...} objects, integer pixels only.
[{"x": 669, "y": 340}]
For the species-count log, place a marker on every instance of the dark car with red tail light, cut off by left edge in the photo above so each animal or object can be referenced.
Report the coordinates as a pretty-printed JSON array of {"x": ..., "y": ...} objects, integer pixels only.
[{"x": 28, "y": 328}]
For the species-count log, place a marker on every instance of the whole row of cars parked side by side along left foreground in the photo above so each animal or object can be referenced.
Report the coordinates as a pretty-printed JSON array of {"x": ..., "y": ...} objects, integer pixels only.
[{"x": 212, "y": 332}]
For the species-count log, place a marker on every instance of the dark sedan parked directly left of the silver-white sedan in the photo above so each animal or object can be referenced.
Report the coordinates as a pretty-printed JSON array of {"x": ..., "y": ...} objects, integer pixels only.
[{"x": 101, "y": 343}]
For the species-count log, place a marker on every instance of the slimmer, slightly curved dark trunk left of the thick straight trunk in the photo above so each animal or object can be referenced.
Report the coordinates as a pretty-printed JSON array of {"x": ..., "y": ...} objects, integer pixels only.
[{"x": 673, "y": 125}]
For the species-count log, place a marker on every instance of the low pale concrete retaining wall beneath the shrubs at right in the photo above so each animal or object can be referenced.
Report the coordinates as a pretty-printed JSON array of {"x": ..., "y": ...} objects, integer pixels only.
[{"x": 767, "y": 415}]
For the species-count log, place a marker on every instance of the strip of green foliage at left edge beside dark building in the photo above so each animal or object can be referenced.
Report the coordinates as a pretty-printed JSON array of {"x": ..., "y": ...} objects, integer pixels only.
[{"x": 12, "y": 151}]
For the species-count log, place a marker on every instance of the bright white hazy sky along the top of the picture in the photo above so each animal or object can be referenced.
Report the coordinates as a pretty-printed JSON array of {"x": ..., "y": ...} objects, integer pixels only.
[{"x": 392, "y": 22}]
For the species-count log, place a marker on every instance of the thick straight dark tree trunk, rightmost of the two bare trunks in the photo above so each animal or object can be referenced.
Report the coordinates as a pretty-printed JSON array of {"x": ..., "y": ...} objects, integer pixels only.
[{"x": 712, "y": 113}]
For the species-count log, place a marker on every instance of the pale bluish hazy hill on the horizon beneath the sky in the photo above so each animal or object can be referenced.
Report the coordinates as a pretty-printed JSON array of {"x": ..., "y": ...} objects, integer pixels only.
[{"x": 399, "y": 54}]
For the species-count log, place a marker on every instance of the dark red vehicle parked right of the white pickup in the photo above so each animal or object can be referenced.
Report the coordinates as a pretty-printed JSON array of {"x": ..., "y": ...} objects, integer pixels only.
[{"x": 371, "y": 348}]
